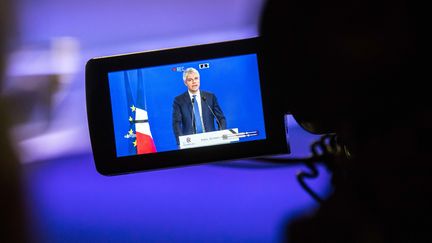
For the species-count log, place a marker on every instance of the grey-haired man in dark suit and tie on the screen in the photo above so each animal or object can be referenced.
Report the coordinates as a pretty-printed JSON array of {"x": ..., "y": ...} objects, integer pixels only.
[{"x": 196, "y": 111}]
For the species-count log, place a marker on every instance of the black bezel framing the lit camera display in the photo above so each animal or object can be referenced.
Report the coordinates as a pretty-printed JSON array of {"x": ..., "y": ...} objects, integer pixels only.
[{"x": 100, "y": 121}]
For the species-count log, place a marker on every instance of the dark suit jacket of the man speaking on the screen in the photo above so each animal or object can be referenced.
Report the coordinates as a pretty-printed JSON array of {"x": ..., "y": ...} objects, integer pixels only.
[{"x": 182, "y": 114}]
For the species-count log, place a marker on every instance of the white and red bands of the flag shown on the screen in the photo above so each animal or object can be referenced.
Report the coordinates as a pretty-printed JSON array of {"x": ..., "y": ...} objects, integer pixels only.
[{"x": 144, "y": 139}]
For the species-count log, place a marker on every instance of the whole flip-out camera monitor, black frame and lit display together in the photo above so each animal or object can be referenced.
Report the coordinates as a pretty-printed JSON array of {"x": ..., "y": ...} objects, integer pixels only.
[{"x": 137, "y": 118}]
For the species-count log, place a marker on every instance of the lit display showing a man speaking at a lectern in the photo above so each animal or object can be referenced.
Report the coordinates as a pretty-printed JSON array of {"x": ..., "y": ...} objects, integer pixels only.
[{"x": 186, "y": 105}]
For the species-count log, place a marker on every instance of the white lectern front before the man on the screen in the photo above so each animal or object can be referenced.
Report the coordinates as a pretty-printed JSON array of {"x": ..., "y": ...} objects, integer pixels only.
[{"x": 209, "y": 138}]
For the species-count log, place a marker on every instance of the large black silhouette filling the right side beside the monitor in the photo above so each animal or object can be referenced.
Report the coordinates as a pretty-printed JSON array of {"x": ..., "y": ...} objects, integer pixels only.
[{"x": 355, "y": 69}]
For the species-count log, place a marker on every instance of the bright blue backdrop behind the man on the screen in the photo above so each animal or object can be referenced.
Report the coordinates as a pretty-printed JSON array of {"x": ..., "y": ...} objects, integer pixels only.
[{"x": 234, "y": 80}]
